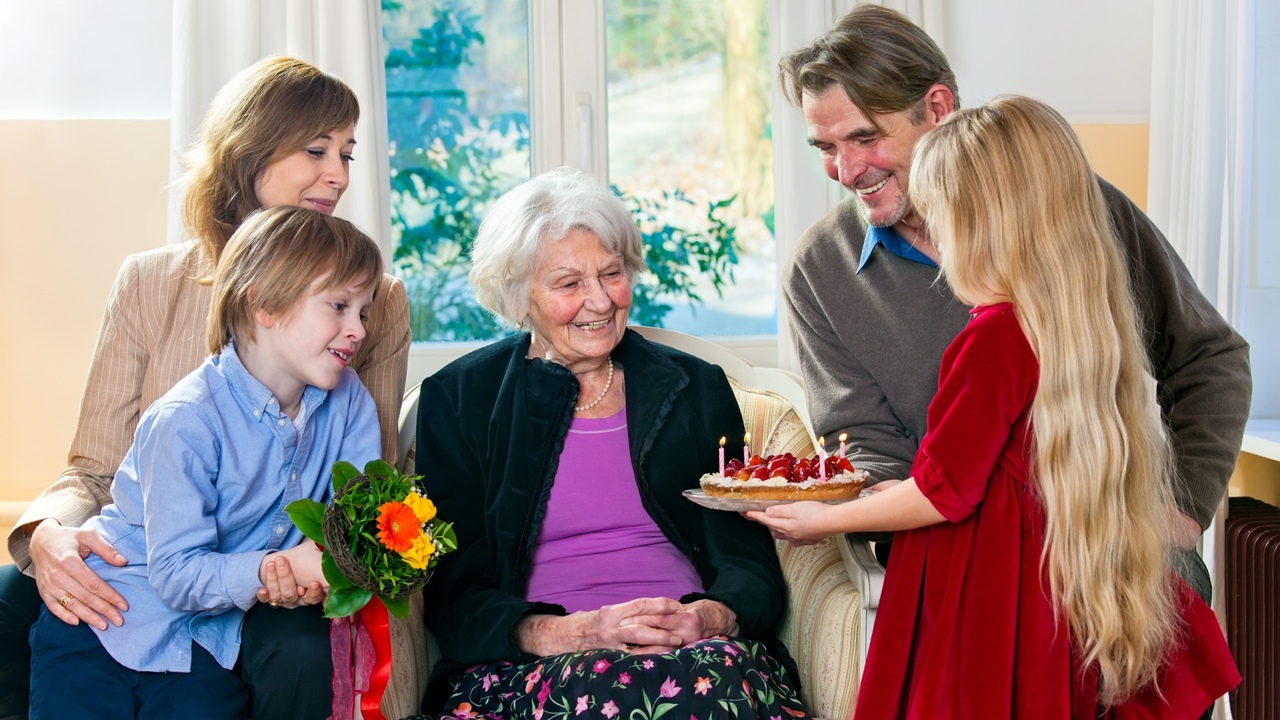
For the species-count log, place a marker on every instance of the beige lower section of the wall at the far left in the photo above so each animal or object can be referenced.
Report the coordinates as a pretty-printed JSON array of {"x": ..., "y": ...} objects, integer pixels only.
[{"x": 76, "y": 198}]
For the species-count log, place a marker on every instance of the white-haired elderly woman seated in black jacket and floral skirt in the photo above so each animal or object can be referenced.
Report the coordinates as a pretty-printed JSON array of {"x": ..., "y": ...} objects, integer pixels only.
[{"x": 583, "y": 580}]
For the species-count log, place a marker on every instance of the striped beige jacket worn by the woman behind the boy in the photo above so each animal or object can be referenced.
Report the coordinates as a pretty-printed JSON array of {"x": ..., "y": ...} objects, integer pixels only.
[{"x": 153, "y": 336}]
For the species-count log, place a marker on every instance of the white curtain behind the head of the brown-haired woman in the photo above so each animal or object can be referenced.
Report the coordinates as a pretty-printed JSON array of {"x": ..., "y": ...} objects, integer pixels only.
[{"x": 216, "y": 39}]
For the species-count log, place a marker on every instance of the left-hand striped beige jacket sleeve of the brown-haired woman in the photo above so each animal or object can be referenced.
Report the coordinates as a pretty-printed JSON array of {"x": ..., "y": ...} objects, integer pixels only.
[{"x": 109, "y": 413}]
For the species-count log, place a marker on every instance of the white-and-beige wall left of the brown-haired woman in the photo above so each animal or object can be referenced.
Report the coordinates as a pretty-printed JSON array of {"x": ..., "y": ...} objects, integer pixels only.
[{"x": 84, "y": 106}]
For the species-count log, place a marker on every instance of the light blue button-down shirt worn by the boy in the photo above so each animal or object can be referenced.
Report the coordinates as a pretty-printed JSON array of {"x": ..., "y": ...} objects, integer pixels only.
[{"x": 200, "y": 499}]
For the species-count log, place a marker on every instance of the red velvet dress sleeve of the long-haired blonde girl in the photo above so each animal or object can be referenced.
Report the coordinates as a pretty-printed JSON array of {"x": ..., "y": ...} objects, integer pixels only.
[{"x": 986, "y": 386}]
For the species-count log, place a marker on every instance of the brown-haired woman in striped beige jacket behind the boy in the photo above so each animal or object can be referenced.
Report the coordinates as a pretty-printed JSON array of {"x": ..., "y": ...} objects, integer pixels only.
[{"x": 281, "y": 133}]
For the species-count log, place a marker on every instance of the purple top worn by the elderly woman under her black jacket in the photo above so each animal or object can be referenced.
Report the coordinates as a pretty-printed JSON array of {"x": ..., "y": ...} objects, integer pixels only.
[{"x": 598, "y": 545}]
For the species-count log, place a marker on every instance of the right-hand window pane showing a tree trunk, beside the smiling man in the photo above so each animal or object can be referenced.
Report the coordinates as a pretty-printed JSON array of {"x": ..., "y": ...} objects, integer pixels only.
[{"x": 691, "y": 149}]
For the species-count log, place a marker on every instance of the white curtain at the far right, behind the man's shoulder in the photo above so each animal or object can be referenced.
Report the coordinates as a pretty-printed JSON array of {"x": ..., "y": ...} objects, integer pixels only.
[{"x": 1201, "y": 168}]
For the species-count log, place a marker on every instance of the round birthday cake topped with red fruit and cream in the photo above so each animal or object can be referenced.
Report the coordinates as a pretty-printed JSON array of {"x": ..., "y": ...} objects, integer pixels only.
[{"x": 785, "y": 477}]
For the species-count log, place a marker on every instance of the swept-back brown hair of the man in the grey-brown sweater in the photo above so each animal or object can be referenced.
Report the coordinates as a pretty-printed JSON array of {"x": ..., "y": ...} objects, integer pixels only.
[{"x": 883, "y": 61}]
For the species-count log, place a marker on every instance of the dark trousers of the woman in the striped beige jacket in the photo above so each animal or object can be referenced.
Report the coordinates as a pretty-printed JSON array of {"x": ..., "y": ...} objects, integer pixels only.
[{"x": 285, "y": 655}]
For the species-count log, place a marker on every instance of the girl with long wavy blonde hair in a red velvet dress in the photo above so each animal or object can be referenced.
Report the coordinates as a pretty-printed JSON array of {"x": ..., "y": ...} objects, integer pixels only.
[{"x": 1031, "y": 573}]
